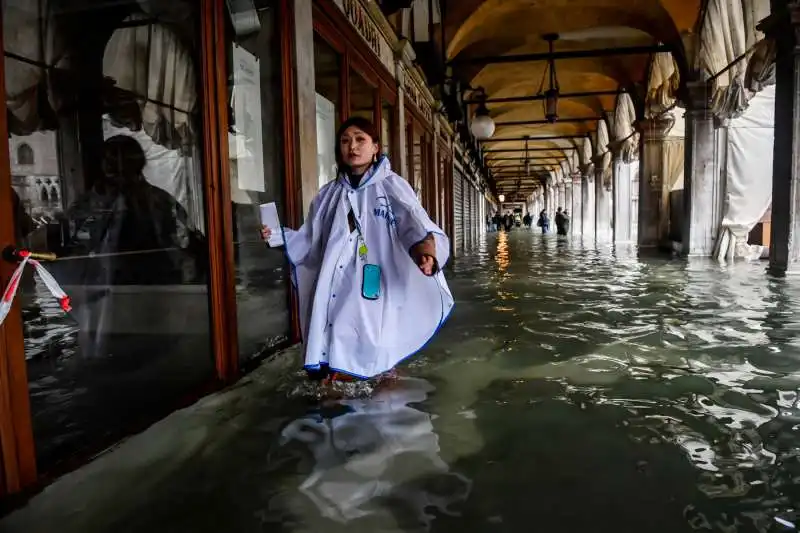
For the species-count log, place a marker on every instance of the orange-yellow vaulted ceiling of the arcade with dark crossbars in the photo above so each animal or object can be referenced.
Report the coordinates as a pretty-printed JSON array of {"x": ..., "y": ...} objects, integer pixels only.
[{"x": 478, "y": 31}]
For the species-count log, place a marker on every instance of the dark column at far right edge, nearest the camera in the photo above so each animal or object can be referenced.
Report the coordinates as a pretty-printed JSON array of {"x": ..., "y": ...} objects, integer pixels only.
[{"x": 783, "y": 26}]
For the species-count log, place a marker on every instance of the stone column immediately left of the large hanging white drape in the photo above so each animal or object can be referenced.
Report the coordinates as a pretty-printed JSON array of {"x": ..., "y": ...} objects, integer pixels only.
[{"x": 702, "y": 195}]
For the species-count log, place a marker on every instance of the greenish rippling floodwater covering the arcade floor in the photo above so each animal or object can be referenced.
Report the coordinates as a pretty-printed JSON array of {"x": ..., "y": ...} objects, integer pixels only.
[{"x": 574, "y": 389}]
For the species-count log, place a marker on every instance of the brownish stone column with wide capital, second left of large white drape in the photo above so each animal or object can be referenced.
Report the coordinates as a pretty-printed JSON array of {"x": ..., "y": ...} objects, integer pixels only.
[{"x": 653, "y": 217}]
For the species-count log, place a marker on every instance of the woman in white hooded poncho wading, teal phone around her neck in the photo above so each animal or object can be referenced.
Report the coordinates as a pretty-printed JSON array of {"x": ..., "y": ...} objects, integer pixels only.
[{"x": 367, "y": 265}]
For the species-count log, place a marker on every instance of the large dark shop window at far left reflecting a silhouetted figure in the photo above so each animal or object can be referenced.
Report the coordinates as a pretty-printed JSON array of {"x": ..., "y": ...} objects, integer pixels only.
[{"x": 120, "y": 105}]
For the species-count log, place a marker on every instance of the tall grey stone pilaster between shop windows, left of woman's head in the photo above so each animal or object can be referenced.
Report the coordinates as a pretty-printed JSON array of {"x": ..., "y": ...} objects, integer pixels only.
[{"x": 308, "y": 170}]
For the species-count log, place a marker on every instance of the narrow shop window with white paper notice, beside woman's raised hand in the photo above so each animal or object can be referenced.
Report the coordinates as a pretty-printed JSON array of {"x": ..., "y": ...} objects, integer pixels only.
[{"x": 255, "y": 151}]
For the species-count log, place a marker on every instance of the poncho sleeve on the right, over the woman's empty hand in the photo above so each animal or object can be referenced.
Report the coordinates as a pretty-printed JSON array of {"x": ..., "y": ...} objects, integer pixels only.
[{"x": 413, "y": 223}]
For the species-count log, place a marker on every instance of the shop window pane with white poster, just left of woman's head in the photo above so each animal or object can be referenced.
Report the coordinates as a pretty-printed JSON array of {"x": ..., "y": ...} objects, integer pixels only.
[{"x": 327, "y": 82}]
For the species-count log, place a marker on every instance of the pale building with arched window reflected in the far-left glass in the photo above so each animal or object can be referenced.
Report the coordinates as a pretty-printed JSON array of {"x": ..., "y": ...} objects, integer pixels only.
[{"x": 35, "y": 174}]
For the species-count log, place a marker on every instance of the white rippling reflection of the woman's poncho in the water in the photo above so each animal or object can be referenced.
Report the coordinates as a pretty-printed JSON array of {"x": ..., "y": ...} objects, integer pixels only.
[{"x": 379, "y": 449}]
